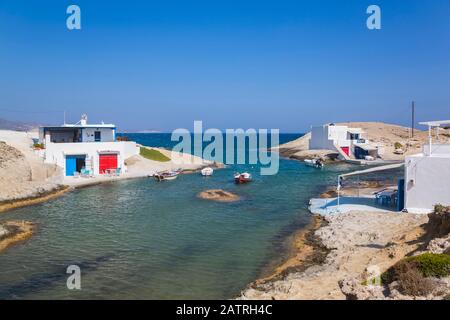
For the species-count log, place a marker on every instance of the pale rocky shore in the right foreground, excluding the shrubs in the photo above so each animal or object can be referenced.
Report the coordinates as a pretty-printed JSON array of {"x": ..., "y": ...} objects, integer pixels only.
[{"x": 338, "y": 256}]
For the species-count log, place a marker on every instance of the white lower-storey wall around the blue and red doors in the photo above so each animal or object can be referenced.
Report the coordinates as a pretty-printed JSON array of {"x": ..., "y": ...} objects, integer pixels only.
[{"x": 55, "y": 152}]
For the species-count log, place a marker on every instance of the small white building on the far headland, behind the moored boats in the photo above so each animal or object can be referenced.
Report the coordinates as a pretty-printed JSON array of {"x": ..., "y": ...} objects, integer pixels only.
[{"x": 346, "y": 141}]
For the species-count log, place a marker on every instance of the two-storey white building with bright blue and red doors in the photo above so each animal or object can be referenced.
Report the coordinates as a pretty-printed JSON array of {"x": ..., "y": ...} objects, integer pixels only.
[{"x": 83, "y": 146}]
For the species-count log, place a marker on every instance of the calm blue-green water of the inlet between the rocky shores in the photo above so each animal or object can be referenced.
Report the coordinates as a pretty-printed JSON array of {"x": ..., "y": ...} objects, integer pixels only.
[{"x": 143, "y": 239}]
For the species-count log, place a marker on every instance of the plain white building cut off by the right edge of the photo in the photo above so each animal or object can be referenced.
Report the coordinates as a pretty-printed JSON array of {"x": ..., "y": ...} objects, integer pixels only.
[{"x": 427, "y": 175}]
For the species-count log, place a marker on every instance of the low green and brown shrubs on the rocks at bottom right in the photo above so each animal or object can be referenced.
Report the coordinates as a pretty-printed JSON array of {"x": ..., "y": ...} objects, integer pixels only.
[{"x": 413, "y": 274}]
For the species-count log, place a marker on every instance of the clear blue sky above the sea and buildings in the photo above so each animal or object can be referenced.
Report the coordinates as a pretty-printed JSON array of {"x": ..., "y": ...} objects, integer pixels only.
[{"x": 251, "y": 64}]
